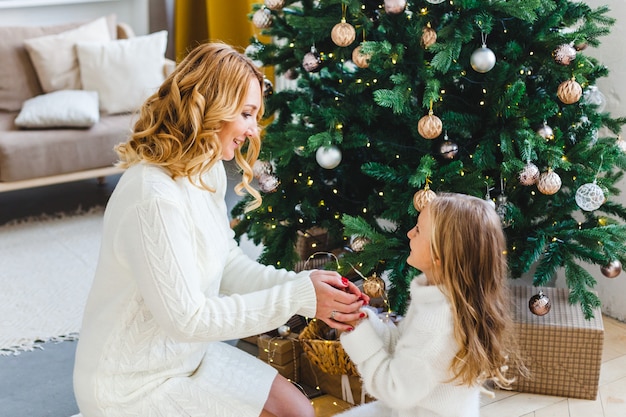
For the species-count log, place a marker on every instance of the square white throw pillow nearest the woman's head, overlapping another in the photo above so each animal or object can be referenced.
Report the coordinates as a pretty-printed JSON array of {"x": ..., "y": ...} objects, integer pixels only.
[{"x": 124, "y": 72}]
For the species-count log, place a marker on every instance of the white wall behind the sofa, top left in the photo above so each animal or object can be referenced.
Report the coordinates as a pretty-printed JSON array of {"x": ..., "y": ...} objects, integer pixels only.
[{"x": 50, "y": 12}]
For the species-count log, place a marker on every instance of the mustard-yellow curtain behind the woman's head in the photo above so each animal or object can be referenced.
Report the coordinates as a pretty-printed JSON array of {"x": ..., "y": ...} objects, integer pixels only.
[{"x": 197, "y": 21}]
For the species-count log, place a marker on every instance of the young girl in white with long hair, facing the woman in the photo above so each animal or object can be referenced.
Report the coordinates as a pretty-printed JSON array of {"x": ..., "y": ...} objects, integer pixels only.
[{"x": 455, "y": 333}]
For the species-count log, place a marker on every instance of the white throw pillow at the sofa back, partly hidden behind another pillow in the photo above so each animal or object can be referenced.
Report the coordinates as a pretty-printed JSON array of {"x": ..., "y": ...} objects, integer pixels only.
[{"x": 54, "y": 56}]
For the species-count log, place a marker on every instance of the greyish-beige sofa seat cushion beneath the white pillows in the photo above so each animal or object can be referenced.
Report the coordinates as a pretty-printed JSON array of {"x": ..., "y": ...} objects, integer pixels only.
[{"x": 40, "y": 153}]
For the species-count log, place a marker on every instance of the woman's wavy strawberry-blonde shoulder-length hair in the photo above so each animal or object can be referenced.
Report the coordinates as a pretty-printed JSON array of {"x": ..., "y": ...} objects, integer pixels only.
[{"x": 178, "y": 125}]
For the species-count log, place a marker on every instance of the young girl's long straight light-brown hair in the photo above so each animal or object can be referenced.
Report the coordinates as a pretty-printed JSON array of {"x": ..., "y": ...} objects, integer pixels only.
[{"x": 468, "y": 240}]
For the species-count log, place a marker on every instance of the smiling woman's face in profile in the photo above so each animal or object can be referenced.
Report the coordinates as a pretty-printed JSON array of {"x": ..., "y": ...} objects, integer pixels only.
[{"x": 234, "y": 134}]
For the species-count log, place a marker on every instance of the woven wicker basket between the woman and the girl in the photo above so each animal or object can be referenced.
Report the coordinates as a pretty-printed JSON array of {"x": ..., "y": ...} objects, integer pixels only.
[{"x": 328, "y": 355}]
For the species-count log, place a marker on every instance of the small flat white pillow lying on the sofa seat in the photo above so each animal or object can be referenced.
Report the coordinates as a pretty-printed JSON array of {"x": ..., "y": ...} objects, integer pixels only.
[{"x": 63, "y": 108}]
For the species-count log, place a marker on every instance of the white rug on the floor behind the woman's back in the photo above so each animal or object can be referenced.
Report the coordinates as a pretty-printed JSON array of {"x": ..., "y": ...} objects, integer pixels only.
[{"x": 46, "y": 269}]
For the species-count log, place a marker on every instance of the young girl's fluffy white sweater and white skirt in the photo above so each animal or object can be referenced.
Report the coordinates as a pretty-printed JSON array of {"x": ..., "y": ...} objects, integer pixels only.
[{"x": 406, "y": 367}]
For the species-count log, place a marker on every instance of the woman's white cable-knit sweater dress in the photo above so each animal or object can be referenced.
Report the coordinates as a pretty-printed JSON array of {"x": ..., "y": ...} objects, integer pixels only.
[{"x": 170, "y": 285}]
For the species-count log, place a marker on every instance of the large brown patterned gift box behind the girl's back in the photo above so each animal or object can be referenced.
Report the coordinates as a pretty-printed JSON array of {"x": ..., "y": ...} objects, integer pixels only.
[{"x": 562, "y": 350}]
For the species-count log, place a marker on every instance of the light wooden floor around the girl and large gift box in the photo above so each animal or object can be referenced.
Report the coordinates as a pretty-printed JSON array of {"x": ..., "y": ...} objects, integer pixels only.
[{"x": 611, "y": 400}]
